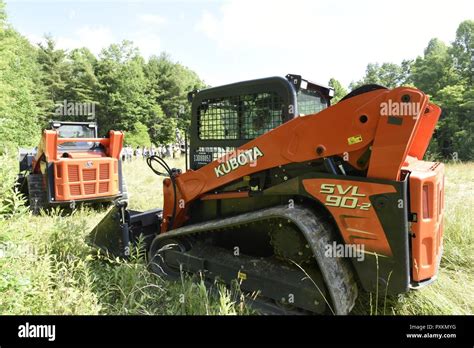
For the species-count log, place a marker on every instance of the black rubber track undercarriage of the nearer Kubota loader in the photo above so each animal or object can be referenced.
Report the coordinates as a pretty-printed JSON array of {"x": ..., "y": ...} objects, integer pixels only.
[{"x": 200, "y": 248}]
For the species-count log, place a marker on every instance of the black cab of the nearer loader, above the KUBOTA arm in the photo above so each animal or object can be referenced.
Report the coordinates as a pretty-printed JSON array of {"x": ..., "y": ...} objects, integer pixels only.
[{"x": 226, "y": 117}]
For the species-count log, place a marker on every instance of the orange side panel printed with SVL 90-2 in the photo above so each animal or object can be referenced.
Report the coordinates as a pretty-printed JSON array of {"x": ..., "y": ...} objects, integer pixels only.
[{"x": 350, "y": 206}]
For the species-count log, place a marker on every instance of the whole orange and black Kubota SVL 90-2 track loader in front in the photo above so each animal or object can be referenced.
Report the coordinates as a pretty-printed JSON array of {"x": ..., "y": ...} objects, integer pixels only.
[{"x": 299, "y": 201}]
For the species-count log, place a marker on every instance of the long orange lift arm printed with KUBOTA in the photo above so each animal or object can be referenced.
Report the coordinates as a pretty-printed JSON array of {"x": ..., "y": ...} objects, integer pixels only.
[{"x": 350, "y": 129}]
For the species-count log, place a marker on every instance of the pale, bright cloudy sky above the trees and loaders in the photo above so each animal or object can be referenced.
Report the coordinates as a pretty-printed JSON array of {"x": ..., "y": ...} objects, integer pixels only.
[{"x": 235, "y": 40}]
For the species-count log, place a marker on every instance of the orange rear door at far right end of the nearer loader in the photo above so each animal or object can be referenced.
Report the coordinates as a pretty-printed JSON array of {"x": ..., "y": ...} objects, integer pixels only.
[{"x": 427, "y": 202}]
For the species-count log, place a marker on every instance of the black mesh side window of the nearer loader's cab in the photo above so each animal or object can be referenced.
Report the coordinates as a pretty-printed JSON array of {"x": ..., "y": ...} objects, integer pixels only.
[{"x": 240, "y": 117}]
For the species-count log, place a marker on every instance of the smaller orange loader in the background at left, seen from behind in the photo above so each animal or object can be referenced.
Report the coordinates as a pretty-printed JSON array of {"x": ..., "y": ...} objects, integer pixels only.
[{"x": 72, "y": 165}]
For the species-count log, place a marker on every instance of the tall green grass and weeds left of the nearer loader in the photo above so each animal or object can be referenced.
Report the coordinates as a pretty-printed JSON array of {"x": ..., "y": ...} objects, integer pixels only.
[{"x": 47, "y": 268}]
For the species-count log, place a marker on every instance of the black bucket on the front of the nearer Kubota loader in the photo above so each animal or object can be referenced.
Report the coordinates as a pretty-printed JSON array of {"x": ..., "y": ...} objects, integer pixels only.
[{"x": 121, "y": 229}]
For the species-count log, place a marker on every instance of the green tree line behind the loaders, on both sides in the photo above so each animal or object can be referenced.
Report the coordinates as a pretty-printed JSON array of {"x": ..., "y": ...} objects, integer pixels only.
[{"x": 148, "y": 98}]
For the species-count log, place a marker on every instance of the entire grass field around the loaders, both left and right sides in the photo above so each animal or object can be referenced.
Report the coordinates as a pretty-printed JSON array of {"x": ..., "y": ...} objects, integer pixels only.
[{"x": 47, "y": 268}]
